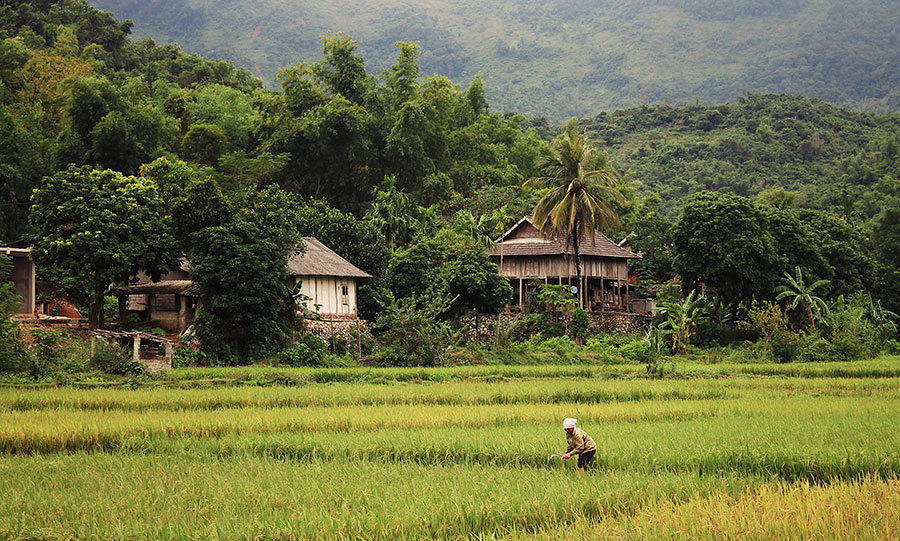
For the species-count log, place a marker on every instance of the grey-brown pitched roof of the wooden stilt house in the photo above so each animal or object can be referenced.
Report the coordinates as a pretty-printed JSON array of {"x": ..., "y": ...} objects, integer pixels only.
[{"x": 600, "y": 247}]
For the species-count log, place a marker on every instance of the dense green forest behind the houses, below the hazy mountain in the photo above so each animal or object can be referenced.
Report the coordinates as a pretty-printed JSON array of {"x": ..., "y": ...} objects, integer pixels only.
[{"x": 119, "y": 155}]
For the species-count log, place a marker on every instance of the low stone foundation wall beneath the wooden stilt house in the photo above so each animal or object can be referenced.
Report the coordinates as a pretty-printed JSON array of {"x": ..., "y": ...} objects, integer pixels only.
[{"x": 483, "y": 327}]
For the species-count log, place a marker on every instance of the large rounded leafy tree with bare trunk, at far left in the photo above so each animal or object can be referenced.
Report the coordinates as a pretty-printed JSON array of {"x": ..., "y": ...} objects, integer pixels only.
[{"x": 97, "y": 227}]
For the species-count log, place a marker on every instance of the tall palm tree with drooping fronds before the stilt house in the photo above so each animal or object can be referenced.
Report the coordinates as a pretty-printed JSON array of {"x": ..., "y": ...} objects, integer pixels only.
[{"x": 578, "y": 202}]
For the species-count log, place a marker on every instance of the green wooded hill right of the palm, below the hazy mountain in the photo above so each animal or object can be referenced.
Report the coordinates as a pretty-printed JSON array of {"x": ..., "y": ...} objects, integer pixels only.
[{"x": 833, "y": 158}]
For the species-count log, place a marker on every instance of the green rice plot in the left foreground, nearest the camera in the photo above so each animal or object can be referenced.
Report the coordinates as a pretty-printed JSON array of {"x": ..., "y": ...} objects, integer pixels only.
[{"x": 105, "y": 497}]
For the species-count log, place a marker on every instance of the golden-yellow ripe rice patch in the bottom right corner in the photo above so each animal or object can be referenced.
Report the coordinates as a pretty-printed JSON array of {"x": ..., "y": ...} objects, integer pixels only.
[{"x": 865, "y": 509}]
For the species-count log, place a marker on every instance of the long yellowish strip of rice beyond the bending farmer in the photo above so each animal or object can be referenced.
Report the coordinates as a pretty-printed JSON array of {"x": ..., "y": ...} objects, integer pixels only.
[{"x": 541, "y": 391}]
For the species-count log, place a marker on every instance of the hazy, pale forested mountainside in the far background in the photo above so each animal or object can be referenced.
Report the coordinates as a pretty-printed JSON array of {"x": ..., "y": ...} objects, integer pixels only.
[{"x": 563, "y": 59}]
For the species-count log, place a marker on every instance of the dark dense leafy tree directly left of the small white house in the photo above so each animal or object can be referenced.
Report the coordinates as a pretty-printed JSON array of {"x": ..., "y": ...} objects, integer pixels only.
[{"x": 240, "y": 265}]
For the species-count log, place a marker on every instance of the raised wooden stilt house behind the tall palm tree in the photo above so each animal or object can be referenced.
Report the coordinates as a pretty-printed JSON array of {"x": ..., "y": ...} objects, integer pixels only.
[{"x": 524, "y": 255}]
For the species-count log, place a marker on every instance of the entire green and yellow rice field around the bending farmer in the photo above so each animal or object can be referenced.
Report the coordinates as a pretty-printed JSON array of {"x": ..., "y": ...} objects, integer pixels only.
[{"x": 723, "y": 451}]
